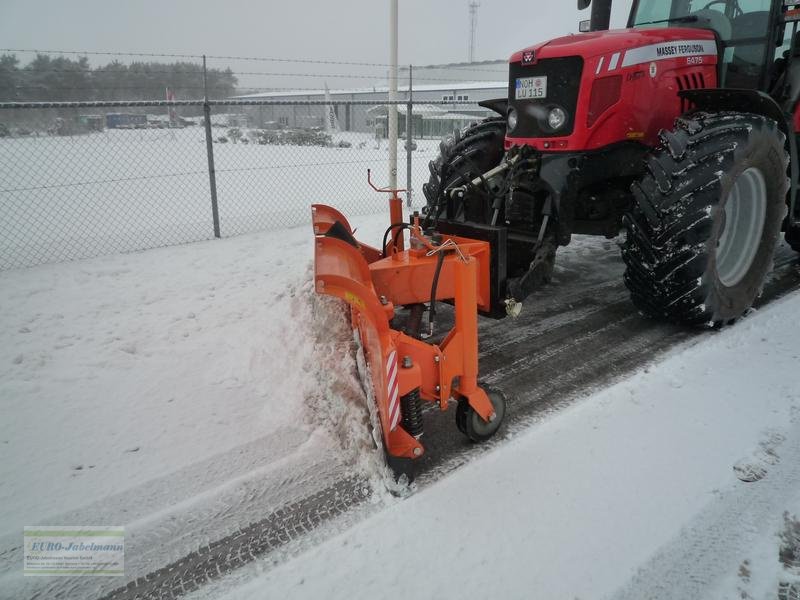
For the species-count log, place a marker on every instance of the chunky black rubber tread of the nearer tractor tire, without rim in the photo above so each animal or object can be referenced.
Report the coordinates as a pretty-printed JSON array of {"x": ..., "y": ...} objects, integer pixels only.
[{"x": 670, "y": 224}]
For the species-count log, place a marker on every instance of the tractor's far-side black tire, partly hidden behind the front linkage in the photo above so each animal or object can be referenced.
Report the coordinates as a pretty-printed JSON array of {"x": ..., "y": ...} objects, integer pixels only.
[{"x": 464, "y": 156}]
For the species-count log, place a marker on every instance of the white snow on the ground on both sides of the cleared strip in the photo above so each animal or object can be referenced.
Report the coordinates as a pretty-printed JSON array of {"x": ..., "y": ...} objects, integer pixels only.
[{"x": 182, "y": 392}]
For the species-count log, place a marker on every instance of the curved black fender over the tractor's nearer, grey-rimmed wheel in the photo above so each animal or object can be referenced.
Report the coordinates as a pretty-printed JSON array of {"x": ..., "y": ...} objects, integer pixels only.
[{"x": 753, "y": 101}]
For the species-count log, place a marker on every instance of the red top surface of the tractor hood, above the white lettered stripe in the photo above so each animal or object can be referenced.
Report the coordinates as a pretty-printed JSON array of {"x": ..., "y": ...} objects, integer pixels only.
[{"x": 588, "y": 45}]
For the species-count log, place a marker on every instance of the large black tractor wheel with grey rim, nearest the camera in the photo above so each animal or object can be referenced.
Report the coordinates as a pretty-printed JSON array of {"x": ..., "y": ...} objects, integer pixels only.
[{"x": 706, "y": 218}]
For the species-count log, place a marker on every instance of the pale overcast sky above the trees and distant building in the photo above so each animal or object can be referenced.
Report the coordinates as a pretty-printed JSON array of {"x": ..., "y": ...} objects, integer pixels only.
[{"x": 431, "y": 31}]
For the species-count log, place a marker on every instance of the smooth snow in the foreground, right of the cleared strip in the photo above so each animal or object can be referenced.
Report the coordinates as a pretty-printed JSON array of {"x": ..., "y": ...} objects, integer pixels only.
[{"x": 636, "y": 493}]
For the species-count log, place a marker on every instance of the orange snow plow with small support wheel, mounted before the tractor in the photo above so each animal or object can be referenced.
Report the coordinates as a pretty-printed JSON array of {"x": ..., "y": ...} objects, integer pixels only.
[{"x": 404, "y": 370}]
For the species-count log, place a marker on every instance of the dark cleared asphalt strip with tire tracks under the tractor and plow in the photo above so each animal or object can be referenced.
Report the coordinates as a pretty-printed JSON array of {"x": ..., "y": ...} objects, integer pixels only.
[{"x": 579, "y": 334}]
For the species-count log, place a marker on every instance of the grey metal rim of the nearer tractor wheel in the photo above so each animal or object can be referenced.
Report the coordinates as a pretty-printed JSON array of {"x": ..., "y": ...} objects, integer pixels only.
[{"x": 742, "y": 227}]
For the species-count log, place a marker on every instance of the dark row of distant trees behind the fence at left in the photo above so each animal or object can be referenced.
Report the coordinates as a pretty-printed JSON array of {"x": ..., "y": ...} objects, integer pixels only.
[{"x": 49, "y": 79}]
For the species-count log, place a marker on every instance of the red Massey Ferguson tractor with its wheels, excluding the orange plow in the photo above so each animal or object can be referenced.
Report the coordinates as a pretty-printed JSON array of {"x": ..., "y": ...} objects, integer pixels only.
[{"x": 679, "y": 129}]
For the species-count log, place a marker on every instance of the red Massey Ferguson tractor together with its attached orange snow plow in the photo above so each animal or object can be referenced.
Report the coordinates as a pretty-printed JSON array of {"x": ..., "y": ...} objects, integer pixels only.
[{"x": 679, "y": 129}]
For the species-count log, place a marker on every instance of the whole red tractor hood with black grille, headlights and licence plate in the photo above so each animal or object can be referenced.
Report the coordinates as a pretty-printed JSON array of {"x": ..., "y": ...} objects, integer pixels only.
[{"x": 610, "y": 86}]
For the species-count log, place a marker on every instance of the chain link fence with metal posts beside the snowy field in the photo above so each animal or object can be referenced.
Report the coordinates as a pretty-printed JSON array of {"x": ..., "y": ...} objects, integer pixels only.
[{"x": 79, "y": 180}]
